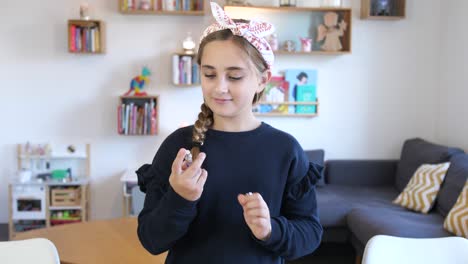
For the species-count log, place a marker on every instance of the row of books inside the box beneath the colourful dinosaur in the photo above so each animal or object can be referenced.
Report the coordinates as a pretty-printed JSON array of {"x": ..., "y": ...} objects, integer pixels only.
[{"x": 134, "y": 119}]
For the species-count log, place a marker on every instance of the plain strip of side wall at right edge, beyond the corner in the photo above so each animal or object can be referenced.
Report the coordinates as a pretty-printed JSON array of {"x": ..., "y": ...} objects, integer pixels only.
[{"x": 452, "y": 125}]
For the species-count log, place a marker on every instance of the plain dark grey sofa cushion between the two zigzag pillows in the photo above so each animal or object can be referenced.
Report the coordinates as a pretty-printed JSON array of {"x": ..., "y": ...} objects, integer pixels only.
[{"x": 453, "y": 183}]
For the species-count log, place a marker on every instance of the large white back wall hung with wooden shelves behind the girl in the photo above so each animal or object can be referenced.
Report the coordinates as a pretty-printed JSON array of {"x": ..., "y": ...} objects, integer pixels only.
[{"x": 371, "y": 100}]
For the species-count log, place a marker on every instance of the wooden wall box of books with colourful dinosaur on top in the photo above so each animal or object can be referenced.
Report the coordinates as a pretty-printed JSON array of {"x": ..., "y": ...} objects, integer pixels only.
[{"x": 138, "y": 115}]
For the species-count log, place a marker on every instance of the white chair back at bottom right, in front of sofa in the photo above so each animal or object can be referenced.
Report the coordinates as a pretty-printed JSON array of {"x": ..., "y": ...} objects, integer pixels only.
[{"x": 383, "y": 249}]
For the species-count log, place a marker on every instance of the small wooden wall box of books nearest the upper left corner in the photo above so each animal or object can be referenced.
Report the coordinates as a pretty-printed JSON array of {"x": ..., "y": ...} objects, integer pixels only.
[{"x": 86, "y": 36}]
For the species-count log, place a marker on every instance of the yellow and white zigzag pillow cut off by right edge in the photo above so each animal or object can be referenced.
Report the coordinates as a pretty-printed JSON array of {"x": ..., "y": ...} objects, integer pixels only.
[{"x": 457, "y": 220}]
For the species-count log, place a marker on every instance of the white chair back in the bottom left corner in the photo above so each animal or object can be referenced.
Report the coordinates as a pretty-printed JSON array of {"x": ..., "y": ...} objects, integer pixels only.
[{"x": 35, "y": 250}]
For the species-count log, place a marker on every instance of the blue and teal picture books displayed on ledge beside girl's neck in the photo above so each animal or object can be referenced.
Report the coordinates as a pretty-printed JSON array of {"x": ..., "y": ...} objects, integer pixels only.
[{"x": 297, "y": 85}]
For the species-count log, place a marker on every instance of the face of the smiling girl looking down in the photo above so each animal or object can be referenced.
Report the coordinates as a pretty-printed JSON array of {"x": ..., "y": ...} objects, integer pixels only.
[{"x": 229, "y": 80}]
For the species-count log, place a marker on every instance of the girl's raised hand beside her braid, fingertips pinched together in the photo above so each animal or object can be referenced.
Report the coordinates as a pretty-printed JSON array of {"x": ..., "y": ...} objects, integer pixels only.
[{"x": 188, "y": 182}]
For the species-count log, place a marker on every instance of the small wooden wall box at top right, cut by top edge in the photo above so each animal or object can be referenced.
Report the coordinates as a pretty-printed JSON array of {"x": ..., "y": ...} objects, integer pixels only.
[{"x": 396, "y": 10}]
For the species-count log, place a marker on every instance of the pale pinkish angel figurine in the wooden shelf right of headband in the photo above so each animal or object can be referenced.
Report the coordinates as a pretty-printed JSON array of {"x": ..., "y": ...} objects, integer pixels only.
[{"x": 331, "y": 31}]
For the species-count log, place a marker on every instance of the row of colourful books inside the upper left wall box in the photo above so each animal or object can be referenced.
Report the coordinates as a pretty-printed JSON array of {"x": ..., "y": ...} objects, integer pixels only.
[{"x": 84, "y": 39}]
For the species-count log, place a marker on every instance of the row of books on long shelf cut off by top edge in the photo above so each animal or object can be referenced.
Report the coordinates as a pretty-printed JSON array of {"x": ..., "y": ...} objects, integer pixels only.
[{"x": 163, "y": 5}]
